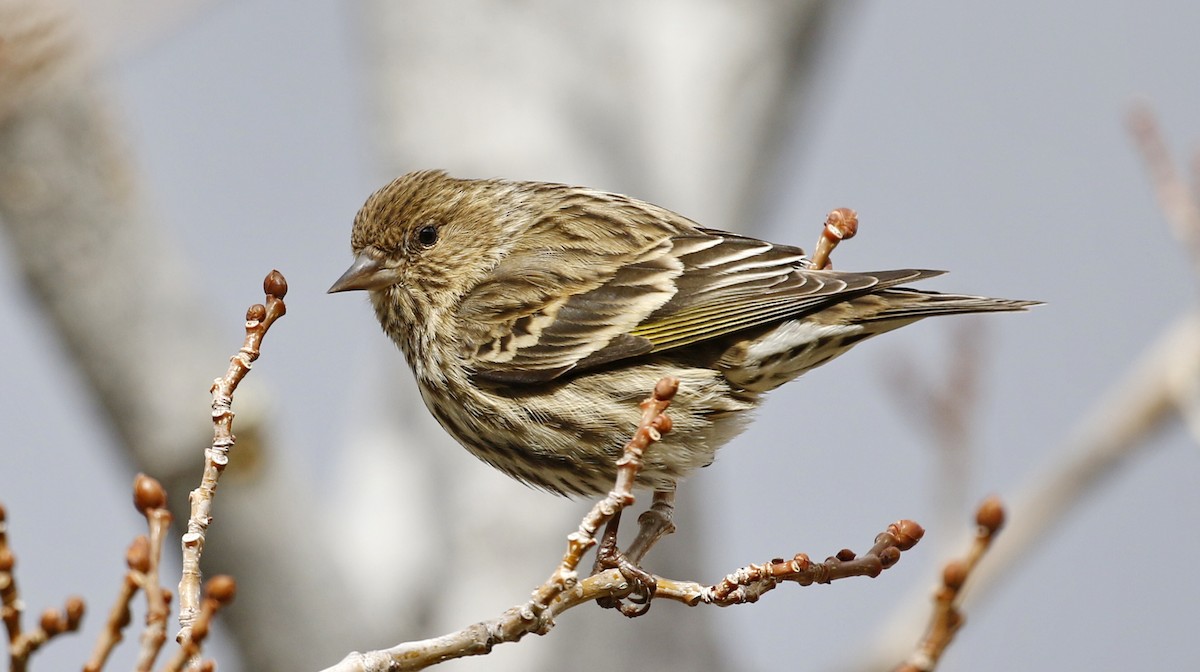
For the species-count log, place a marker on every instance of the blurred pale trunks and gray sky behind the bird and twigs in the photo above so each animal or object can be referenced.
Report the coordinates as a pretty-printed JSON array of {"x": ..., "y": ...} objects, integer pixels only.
[{"x": 217, "y": 141}]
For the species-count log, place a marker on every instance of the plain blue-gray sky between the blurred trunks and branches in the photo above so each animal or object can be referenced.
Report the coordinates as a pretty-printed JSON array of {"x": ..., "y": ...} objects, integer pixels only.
[{"x": 982, "y": 139}]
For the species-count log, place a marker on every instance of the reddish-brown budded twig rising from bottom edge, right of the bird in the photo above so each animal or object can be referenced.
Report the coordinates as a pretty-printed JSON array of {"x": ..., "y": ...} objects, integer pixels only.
[{"x": 947, "y": 616}]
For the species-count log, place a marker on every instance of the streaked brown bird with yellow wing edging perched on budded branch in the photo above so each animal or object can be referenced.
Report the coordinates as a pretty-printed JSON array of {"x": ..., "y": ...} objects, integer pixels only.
[{"x": 536, "y": 317}]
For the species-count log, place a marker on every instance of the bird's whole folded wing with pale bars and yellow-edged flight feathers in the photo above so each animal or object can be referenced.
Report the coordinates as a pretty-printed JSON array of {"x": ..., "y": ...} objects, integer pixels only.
[{"x": 544, "y": 314}]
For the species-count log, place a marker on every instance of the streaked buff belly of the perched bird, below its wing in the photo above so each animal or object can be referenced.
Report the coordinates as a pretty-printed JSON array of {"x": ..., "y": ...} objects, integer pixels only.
[{"x": 567, "y": 437}]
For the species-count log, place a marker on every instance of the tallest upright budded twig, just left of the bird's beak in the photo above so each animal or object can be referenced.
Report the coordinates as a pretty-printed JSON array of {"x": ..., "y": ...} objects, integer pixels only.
[{"x": 260, "y": 320}]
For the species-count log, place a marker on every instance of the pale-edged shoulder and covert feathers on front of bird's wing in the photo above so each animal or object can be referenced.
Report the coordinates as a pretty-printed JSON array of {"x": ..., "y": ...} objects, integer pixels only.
[{"x": 542, "y": 313}]
